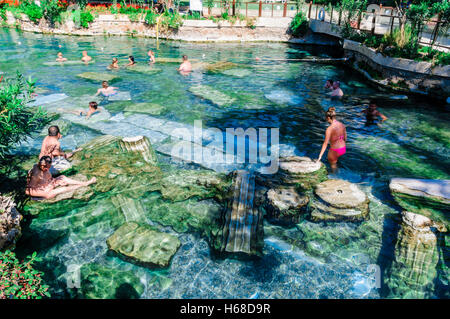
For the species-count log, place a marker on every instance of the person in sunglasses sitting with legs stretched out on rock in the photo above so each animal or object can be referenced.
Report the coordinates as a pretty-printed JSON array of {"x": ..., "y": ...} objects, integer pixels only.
[{"x": 40, "y": 182}]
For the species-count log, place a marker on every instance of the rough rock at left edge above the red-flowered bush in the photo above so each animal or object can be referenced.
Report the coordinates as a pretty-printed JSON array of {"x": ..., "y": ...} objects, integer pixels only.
[{"x": 10, "y": 218}]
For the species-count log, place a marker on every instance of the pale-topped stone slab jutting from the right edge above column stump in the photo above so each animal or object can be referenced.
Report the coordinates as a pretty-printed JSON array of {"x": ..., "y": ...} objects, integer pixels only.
[{"x": 430, "y": 198}]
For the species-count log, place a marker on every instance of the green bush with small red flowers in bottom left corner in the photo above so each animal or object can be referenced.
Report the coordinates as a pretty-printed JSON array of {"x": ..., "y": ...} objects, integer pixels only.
[{"x": 20, "y": 280}]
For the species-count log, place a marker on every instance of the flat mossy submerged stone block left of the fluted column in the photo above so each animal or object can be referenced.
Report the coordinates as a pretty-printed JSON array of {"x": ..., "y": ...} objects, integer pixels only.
[{"x": 143, "y": 244}]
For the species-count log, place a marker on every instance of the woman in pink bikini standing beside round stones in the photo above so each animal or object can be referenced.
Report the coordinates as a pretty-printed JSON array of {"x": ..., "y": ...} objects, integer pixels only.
[{"x": 336, "y": 135}]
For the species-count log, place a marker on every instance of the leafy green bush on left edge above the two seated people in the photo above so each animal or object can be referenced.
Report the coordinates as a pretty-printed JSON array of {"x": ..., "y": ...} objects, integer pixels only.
[{"x": 17, "y": 120}]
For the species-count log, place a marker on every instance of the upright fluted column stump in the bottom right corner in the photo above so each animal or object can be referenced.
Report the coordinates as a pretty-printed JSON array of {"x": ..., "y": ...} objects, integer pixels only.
[{"x": 416, "y": 257}]
